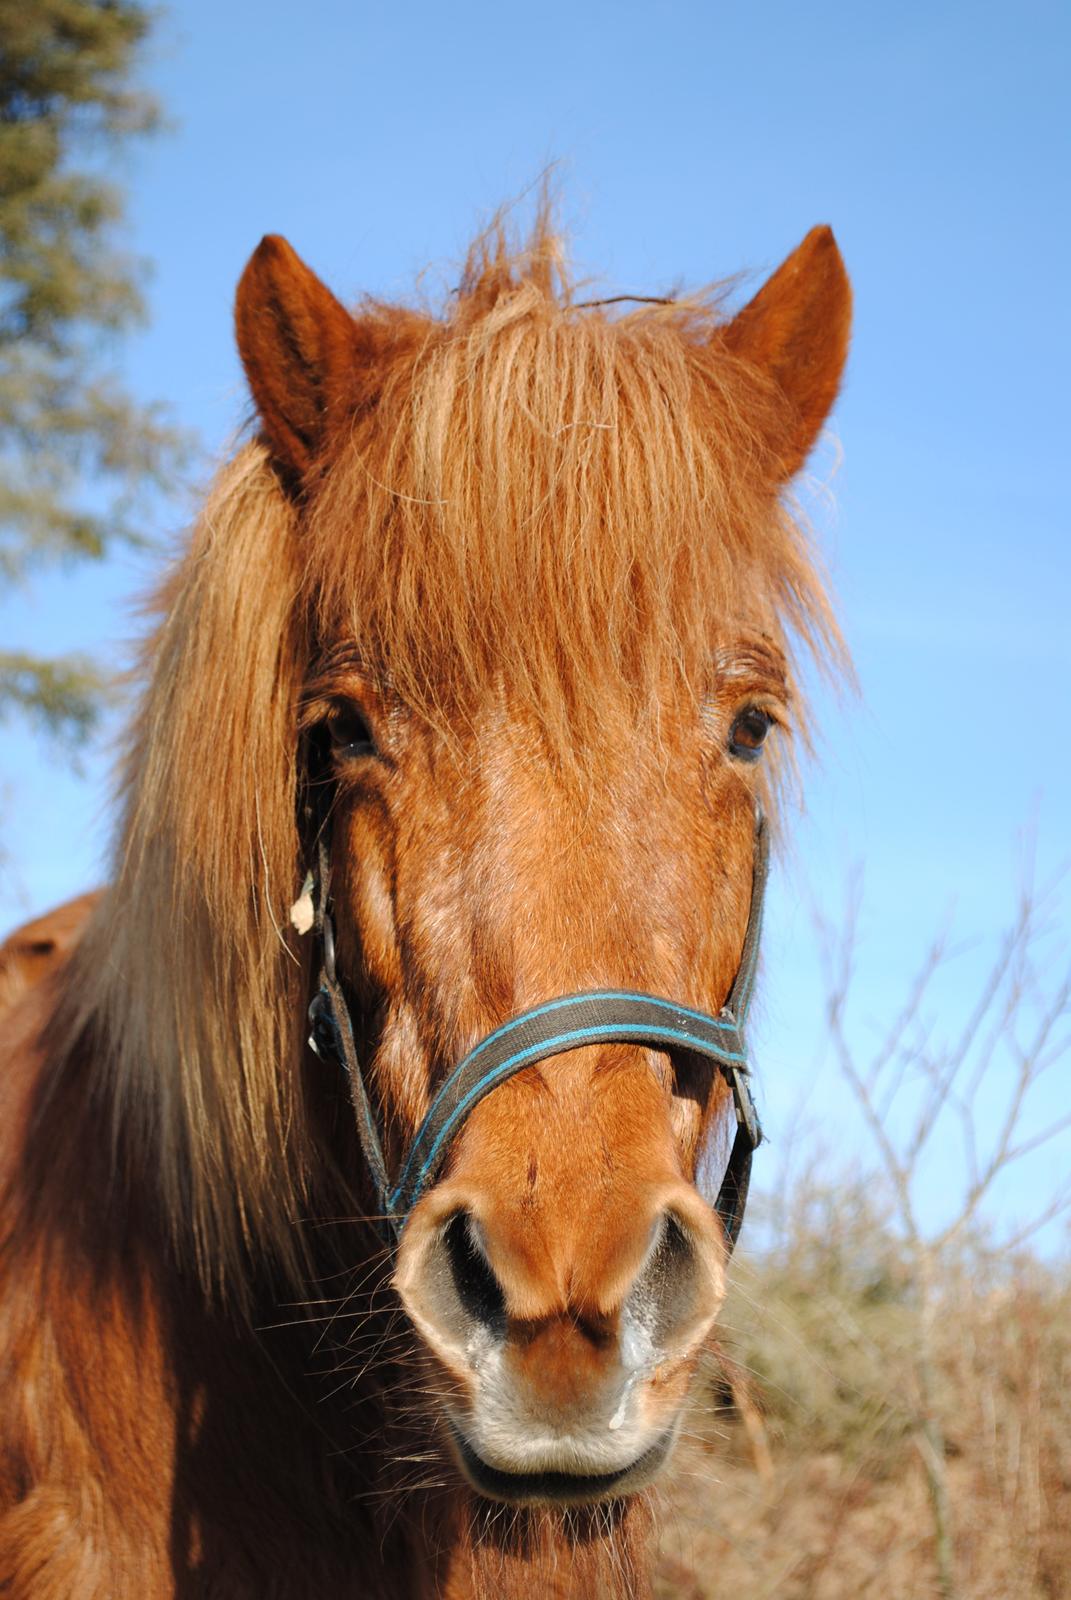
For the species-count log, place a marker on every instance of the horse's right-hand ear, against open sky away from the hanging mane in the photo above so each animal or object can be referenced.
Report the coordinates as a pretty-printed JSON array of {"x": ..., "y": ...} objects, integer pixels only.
[{"x": 796, "y": 330}]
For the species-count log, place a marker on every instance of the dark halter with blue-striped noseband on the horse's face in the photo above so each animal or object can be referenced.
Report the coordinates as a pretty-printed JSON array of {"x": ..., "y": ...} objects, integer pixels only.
[{"x": 550, "y": 1030}]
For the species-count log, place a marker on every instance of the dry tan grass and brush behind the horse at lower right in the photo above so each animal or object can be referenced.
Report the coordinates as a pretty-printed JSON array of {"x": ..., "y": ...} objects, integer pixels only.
[{"x": 804, "y": 1479}]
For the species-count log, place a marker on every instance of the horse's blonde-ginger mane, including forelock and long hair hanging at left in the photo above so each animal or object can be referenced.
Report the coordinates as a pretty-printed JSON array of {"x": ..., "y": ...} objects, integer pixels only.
[{"x": 547, "y": 497}]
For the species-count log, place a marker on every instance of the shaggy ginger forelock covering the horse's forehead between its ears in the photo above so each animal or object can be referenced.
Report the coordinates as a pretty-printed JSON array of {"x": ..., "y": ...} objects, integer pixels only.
[{"x": 569, "y": 502}]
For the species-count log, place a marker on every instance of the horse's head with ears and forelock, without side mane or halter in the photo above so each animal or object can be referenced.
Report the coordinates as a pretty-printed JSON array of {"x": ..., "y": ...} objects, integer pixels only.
[{"x": 548, "y": 582}]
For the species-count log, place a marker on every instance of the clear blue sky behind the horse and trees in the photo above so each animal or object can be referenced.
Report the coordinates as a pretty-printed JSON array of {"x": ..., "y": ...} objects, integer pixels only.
[{"x": 694, "y": 142}]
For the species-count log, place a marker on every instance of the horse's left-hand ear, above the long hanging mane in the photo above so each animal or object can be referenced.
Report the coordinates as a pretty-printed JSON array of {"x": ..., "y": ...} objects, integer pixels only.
[{"x": 299, "y": 346}]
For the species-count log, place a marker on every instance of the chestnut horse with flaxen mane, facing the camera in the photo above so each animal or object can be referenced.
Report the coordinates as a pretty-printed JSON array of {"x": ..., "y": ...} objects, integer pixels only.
[{"x": 454, "y": 716}]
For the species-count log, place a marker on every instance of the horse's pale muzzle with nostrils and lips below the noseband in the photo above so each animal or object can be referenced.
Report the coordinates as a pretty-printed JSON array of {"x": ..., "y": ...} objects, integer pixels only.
[{"x": 572, "y": 1406}]
